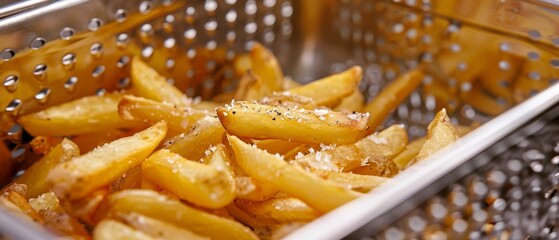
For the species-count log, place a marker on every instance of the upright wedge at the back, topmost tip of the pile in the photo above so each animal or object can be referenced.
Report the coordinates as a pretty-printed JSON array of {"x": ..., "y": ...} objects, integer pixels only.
[{"x": 266, "y": 66}]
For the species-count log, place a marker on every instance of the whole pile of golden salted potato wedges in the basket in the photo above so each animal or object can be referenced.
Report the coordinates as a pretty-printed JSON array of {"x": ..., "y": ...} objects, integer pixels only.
[{"x": 258, "y": 162}]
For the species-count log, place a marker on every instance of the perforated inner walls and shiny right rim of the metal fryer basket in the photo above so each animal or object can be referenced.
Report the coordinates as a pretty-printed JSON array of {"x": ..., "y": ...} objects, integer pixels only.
[{"x": 62, "y": 50}]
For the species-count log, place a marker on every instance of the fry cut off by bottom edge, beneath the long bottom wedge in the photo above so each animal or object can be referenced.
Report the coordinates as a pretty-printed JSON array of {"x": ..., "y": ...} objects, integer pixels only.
[{"x": 157, "y": 228}]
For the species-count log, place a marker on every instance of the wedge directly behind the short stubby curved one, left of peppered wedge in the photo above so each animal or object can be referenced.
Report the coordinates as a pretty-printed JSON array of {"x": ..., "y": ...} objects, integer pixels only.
[{"x": 204, "y": 133}]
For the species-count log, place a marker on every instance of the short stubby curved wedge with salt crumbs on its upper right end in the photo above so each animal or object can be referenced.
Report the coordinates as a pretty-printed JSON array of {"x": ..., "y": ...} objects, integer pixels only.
[{"x": 195, "y": 182}]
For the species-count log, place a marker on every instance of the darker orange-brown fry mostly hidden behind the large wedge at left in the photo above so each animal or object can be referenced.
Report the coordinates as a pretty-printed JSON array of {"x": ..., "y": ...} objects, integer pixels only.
[{"x": 87, "y": 142}]
